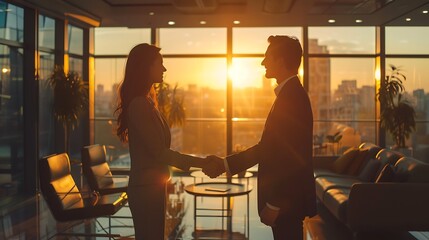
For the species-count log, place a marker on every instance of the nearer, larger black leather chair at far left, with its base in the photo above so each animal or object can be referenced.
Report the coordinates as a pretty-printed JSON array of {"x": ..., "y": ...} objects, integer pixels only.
[{"x": 67, "y": 203}]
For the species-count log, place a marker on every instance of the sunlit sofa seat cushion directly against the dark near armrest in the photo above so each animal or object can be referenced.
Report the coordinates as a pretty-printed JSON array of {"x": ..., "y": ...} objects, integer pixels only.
[{"x": 336, "y": 201}]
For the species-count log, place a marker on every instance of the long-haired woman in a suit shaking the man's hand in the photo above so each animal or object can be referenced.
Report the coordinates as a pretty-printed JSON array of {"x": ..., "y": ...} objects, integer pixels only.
[{"x": 145, "y": 129}]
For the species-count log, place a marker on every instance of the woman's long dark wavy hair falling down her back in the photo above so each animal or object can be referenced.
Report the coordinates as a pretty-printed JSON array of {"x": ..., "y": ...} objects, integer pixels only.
[{"x": 136, "y": 83}]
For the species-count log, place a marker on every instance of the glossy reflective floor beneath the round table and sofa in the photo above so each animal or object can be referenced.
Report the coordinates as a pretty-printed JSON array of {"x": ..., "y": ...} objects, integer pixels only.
[{"x": 320, "y": 227}]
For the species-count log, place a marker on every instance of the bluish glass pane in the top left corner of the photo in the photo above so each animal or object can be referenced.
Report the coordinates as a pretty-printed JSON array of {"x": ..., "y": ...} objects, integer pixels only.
[{"x": 11, "y": 22}]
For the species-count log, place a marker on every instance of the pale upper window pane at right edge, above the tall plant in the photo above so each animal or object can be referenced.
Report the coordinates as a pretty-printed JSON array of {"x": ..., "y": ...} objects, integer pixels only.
[{"x": 407, "y": 40}]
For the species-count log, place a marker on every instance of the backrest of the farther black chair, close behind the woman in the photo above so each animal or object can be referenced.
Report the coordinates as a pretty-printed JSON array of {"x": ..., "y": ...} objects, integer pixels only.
[{"x": 95, "y": 167}]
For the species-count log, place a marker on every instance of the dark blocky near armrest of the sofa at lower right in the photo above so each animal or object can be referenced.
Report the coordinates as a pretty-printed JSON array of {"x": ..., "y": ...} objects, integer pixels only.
[{"x": 399, "y": 206}]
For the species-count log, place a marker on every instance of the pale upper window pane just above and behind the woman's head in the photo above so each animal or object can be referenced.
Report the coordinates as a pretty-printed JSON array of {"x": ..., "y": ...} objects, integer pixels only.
[{"x": 111, "y": 41}]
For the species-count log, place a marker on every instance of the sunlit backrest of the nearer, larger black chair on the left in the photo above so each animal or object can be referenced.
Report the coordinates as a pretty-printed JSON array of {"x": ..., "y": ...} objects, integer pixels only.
[{"x": 57, "y": 184}]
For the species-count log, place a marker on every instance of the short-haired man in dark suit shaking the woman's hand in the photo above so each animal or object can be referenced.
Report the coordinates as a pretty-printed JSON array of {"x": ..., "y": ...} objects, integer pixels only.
[{"x": 286, "y": 193}]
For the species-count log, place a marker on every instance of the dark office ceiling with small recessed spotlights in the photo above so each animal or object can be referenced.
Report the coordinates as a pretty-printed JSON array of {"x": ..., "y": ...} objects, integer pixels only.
[{"x": 250, "y": 13}]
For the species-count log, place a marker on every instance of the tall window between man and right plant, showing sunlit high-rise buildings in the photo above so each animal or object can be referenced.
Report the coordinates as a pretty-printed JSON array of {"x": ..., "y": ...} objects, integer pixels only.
[{"x": 342, "y": 87}]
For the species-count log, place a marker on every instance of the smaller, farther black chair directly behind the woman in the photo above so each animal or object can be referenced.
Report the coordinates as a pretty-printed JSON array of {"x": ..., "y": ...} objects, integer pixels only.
[{"x": 98, "y": 173}]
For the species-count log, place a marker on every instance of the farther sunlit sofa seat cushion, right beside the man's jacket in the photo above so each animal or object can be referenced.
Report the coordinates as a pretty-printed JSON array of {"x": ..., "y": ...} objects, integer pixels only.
[{"x": 325, "y": 183}]
